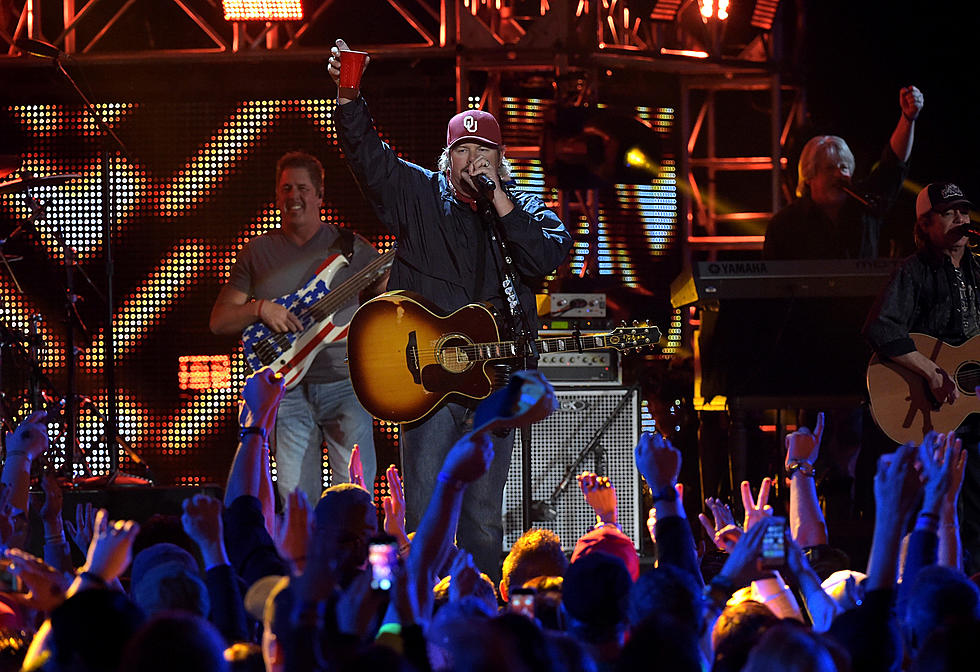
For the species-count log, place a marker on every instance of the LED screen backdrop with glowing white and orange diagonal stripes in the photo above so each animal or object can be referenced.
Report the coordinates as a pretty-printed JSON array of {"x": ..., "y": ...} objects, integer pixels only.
[{"x": 200, "y": 184}]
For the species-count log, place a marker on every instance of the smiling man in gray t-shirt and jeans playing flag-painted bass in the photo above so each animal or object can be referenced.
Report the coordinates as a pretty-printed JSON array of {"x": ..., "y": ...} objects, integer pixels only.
[{"x": 322, "y": 406}]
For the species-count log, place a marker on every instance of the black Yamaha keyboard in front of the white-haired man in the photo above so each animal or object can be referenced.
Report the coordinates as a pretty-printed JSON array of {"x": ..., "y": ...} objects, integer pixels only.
[{"x": 713, "y": 280}]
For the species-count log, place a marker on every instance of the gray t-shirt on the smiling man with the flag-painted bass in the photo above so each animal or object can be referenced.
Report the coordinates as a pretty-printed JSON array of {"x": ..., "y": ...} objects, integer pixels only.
[{"x": 271, "y": 266}]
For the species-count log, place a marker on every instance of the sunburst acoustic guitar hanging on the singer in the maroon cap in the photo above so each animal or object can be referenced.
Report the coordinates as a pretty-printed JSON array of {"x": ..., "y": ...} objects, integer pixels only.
[{"x": 406, "y": 357}]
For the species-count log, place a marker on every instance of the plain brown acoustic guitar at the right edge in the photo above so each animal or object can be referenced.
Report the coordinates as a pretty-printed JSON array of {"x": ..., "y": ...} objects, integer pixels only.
[{"x": 902, "y": 404}]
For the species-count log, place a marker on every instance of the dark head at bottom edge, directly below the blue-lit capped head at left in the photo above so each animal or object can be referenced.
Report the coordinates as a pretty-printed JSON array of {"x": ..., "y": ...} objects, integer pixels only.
[{"x": 175, "y": 641}]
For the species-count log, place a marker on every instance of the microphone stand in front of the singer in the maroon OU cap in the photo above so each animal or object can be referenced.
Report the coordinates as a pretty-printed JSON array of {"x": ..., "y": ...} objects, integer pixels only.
[{"x": 520, "y": 326}]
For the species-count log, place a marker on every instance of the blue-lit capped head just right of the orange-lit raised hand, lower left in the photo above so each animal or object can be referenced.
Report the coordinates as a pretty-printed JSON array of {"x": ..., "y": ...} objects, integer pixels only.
[{"x": 165, "y": 577}]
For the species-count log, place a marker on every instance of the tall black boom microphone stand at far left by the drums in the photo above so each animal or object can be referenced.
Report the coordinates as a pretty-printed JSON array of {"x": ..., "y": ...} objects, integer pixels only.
[{"x": 110, "y": 421}]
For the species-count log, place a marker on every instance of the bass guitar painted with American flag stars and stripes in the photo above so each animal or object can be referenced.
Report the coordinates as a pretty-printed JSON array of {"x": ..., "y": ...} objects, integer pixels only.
[{"x": 292, "y": 353}]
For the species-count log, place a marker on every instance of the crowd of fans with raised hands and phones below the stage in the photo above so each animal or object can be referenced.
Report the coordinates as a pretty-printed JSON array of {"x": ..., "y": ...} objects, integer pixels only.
[{"x": 231, "y": 585}]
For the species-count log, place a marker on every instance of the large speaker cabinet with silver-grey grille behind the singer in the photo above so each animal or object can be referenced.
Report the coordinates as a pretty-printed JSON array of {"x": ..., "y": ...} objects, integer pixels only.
[{"x": 558, "y": 442}]
